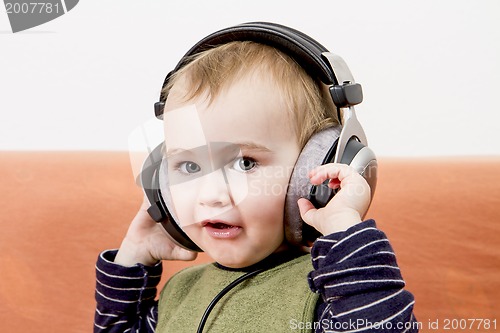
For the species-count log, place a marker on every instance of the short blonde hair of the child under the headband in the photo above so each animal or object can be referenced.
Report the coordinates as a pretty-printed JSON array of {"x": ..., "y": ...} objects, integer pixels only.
[{"x": 208, "y": 72}]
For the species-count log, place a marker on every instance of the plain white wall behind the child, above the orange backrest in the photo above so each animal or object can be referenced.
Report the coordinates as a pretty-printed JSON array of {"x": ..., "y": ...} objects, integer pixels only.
[{"x": 429, "y": 69}]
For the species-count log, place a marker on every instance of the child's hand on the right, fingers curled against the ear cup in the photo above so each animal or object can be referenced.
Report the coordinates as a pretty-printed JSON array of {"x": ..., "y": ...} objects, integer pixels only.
[{"x": 346, "y": 208}]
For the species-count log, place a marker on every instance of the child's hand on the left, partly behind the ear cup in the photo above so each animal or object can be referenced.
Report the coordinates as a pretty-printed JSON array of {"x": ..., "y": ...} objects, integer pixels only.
[{"x": 147, "y": 243}]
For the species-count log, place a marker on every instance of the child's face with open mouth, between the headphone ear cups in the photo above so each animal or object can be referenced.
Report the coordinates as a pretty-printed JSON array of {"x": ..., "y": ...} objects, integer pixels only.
[{"x": 229, "y": 164}]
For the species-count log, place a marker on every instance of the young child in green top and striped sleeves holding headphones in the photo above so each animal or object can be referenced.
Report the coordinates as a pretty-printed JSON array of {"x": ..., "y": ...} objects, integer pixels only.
[{"x": 257, "y": 99}]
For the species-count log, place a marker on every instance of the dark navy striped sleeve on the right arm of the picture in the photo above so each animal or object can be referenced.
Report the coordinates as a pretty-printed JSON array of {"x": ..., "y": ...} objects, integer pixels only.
[{"x": 357, "y": 275}]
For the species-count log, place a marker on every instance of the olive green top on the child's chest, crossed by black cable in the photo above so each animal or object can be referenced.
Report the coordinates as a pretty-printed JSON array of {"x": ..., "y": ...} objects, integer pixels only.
[{"x": 268, "y": 302}]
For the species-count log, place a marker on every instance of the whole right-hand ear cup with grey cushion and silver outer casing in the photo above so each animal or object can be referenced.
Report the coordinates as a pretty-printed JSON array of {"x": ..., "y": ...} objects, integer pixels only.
[{"x": 321, "y": 149}]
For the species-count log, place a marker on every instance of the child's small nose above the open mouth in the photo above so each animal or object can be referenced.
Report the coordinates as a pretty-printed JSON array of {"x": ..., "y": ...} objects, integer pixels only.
[{"x": 214, "y": 190}]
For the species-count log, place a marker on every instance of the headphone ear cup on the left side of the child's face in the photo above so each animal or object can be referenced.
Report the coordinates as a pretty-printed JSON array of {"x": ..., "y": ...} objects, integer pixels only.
[{"x": 154, "y": 179}]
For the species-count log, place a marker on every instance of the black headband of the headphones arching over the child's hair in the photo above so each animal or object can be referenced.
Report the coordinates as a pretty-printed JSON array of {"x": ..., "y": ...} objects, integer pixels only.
[{"x": 307, "y": 52}]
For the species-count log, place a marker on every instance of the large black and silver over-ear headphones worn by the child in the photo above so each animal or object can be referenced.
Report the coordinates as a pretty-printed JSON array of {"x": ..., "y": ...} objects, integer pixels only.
[{"x": 345, "y": 143}]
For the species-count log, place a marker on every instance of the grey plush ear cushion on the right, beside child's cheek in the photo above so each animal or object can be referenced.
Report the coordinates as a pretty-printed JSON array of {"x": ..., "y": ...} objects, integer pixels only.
[{"x": 320, "y": 149}]
